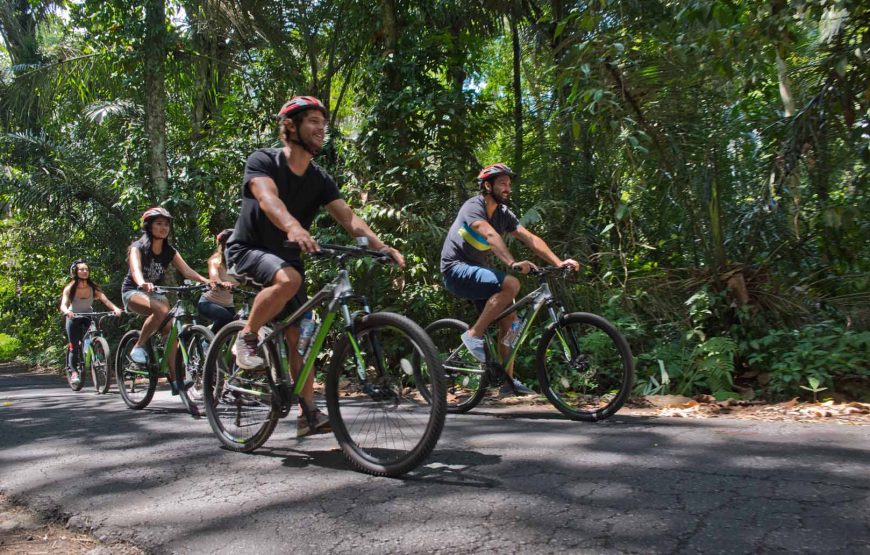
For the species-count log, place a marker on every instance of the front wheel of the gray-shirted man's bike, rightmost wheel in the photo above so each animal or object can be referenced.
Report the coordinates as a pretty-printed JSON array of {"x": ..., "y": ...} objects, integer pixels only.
[{"x": 585, "y": 367}]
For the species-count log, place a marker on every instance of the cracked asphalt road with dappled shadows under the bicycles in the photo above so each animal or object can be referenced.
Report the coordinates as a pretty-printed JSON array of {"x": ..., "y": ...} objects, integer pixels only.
[{"x": 499, "y": 482}]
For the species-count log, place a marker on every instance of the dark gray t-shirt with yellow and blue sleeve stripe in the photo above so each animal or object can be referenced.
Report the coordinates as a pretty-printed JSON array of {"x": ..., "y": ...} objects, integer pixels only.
[{"x": 466, "y": 246}]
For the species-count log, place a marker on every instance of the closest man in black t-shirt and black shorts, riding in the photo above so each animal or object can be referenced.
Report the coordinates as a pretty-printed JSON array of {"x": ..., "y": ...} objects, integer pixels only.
[{"x": 282, "y": 191}]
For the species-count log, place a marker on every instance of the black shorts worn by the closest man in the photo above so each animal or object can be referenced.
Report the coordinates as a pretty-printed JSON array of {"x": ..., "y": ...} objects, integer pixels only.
[{"x": 259, "y": 265}]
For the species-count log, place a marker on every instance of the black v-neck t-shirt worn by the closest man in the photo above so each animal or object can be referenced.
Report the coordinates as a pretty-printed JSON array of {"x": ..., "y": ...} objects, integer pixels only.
[{"x": 302, "y": 195}]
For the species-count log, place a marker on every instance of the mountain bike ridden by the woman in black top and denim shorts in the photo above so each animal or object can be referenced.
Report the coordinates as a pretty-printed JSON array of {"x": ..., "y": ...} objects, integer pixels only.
[{"x": 138, "y": 382}]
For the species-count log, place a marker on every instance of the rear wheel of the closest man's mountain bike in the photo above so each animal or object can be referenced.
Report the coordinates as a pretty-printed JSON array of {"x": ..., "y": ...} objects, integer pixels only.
[{"x": 239, "y": 403}]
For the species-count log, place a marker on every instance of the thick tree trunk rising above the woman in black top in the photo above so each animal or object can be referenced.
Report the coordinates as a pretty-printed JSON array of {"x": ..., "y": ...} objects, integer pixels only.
[{"x": 155, "y": 97}]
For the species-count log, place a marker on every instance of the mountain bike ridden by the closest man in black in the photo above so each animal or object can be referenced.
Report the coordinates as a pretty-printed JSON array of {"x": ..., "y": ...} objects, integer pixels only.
[{"x": 383, "y": 421}]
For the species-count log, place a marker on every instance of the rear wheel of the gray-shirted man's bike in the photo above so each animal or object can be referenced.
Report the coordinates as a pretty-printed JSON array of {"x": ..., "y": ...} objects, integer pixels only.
[{"x": 465, "y": 376}]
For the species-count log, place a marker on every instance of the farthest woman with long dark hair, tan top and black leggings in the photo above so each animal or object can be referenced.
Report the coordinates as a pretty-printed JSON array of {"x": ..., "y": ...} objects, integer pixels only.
[{"x": 78, "y": 297}]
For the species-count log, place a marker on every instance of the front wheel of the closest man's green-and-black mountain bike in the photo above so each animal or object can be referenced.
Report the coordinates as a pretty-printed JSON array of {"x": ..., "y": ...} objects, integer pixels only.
[{"x": 386, "y": 414}]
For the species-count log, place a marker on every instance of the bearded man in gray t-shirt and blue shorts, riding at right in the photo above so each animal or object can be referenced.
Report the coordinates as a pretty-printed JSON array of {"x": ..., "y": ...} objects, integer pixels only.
[{"x": 476, "y": 232}]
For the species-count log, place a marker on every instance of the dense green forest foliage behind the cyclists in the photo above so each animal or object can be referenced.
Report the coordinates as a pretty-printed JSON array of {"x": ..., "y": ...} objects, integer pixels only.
[{"x": 707, "y": 160}]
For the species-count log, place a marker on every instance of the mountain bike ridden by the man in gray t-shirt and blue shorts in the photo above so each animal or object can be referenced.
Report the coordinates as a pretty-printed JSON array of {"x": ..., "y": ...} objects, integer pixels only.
[{"x": 584, "y": 364}]
